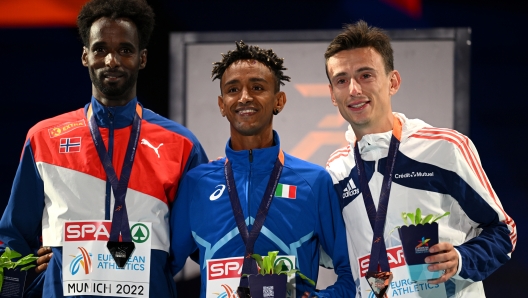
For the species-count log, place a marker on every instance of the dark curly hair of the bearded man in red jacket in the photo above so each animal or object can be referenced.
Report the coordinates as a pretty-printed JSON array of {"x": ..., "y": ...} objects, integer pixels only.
[{"x": 138, "y": 11}]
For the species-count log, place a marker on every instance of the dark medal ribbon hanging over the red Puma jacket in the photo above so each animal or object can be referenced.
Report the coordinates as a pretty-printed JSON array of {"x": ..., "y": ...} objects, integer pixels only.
[{"x": 119, "y": 185}]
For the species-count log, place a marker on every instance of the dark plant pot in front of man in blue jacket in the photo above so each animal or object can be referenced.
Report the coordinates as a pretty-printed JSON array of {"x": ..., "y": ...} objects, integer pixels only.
[{"x": 268, "y": 286}]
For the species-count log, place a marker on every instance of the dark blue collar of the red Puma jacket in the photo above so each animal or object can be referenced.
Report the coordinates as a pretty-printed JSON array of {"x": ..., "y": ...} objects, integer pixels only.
[{"x": 120, "y": 117}]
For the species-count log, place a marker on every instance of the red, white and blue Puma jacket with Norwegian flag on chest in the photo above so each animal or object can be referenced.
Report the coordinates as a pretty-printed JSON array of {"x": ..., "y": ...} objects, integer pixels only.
[{"x": 60, "y": 177}]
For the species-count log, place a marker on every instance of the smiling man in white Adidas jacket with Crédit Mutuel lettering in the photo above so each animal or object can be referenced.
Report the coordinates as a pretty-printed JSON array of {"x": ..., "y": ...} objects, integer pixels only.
[{"x": 437, "y": 170}]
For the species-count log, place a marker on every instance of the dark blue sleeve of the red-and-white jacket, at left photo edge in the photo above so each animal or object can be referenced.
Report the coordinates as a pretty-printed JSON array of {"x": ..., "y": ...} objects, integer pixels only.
[{"x": 20, "y": 226}]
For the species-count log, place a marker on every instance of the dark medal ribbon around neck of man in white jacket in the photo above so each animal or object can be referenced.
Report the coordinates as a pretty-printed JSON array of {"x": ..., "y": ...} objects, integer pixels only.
[{"x": 378, "y": 252}]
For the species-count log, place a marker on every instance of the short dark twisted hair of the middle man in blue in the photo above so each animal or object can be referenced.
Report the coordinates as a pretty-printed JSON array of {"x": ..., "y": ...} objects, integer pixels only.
[{"x": 243, "y": 52}]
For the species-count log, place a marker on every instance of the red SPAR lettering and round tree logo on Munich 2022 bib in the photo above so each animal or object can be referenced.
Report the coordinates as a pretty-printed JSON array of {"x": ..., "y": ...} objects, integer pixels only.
[{"x": 100, "y": 231}]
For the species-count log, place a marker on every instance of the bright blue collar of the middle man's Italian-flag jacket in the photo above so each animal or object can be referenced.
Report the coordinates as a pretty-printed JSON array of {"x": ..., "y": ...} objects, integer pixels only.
[{"x": 263, "y": 159}]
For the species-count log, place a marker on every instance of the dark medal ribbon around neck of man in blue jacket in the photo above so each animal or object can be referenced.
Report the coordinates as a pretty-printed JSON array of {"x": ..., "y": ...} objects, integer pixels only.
[{"x": 250, "y": 238}]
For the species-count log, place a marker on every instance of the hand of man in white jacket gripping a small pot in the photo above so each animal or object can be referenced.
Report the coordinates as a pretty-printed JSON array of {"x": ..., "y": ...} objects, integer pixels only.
[{"x": 446, "y": 258}]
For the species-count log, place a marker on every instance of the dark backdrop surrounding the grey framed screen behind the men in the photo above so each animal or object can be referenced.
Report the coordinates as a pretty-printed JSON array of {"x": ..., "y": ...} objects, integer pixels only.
[{"x": 41, "y": 76}]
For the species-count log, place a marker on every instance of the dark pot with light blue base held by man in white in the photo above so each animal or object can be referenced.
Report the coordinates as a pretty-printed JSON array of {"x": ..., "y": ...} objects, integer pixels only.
[{"x": 416, "y": 241}]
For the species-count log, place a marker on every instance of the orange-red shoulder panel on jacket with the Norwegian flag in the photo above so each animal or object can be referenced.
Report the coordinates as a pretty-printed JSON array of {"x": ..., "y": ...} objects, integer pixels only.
[{"x": 59, "y": 124}]
